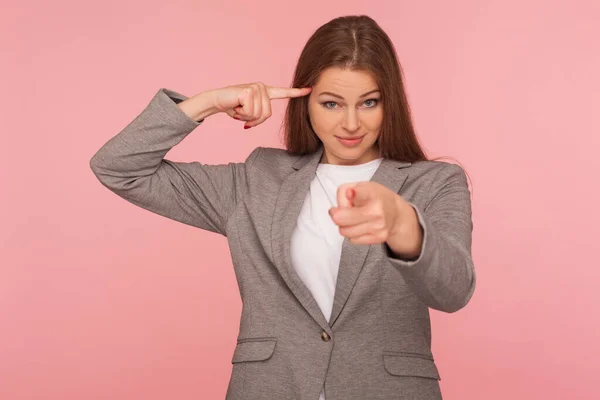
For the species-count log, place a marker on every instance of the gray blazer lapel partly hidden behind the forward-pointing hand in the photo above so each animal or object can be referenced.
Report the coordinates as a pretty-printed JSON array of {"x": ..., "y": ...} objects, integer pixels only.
[{"x": 392, "y": 174}]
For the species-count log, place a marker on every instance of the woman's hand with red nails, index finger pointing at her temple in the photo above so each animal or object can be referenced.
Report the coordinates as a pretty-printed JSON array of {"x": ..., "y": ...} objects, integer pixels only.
[{"x": 252, "y": 102}]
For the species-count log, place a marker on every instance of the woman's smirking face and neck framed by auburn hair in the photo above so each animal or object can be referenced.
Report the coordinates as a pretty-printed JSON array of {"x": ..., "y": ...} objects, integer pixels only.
[{"x": 346, "y": 104}]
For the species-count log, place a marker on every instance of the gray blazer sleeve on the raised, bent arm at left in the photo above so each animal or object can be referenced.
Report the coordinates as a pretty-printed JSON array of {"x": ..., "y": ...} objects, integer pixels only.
[{"x": 132, "y": 165}]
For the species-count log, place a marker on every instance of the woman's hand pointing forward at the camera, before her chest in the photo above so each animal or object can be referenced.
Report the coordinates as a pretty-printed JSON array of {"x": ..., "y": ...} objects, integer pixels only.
[{"x": 370, "y": 213}]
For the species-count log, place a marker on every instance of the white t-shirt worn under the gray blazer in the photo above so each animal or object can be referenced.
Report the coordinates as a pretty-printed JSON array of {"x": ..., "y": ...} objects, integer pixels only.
[{"x": 316, "y": 243}]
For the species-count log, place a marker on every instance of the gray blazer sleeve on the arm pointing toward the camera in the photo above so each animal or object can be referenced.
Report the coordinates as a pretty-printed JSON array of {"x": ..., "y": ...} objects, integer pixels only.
[{"x": 443, "y": 275}]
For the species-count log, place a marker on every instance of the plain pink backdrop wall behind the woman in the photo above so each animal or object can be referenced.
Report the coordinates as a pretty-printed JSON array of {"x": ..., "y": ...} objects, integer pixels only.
[{"x": 100, "y": 299}]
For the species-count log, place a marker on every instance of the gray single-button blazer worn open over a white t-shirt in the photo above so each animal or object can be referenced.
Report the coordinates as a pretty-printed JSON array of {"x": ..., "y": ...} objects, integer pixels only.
[{"x": 377, "y": 344}]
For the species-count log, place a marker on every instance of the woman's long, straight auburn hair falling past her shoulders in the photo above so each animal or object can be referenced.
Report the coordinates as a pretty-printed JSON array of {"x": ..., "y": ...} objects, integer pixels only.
[{"x": 355, "y": 42}]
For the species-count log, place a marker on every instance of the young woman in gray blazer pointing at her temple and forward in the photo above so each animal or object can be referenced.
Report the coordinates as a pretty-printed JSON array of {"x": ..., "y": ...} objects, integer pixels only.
[{"x": 341, "y": 242}]
